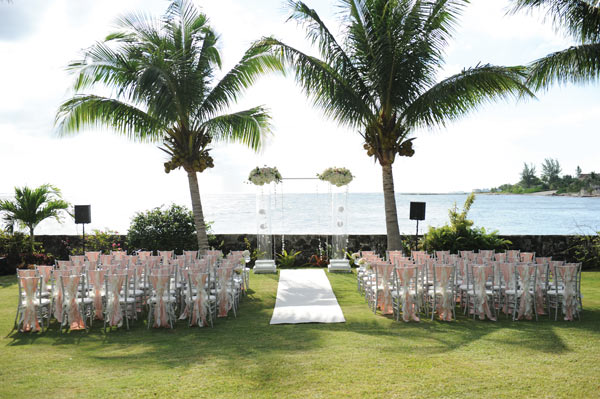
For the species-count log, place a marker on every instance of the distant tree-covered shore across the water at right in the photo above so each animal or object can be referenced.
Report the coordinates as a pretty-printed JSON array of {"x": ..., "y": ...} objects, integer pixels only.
[{"x": 551, "y": 182}]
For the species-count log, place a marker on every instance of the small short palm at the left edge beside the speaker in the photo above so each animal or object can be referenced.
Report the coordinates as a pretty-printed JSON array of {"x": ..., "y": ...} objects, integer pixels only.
[{"x": 31, "y": 206}]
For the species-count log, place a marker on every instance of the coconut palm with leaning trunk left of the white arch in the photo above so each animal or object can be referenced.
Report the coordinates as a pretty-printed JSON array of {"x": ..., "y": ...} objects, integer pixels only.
[{"x": 162, "y": 72}]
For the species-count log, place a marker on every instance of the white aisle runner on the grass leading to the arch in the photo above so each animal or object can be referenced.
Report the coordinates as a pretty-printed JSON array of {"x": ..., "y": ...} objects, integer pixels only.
[{"x": 305, "y": 296}]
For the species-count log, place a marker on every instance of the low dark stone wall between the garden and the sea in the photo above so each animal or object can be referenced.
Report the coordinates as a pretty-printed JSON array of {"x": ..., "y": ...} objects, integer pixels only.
[{"x": 557, "y": 246}]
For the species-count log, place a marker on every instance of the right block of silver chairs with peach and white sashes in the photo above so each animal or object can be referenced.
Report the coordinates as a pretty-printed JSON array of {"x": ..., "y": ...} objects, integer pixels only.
[{"x": 480, "y": 284}]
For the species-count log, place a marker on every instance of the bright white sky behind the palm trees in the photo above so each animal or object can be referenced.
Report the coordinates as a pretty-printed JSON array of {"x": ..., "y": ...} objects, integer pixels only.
[{"x": 38, "y": 38}]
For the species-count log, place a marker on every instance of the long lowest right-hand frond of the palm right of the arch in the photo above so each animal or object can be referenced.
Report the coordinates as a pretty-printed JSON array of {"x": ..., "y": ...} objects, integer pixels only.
[{"x": 456, "y": 96}]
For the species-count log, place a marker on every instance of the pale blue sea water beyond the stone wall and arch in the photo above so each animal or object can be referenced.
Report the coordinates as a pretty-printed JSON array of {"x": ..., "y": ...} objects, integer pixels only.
[{"x": 311, "y": 213}]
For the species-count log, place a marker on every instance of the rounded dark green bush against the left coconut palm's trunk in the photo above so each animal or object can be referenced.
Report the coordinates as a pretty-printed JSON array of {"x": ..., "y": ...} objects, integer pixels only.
[{"x": 163, "y": 229}]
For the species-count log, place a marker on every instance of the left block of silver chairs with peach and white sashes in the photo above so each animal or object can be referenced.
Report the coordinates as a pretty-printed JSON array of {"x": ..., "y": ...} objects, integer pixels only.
[{"x": 79, "y": 291}]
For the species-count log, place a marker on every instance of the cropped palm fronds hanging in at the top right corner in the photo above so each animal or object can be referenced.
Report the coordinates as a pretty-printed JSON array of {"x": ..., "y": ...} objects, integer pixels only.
[{"x": 576, "y": 64}]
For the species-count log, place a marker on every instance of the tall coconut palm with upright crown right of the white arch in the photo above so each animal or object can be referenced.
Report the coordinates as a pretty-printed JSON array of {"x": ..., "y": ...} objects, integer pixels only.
[{"x": 381, "y": 79}]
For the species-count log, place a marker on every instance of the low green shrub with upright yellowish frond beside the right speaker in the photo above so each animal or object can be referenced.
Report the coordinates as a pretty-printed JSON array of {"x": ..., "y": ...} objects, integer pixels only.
[{"x": 461, "y": 235}]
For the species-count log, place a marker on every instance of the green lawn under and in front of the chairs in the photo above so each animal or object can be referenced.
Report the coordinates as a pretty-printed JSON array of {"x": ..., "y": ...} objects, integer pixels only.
[{"x": 369, "y": 356}]
